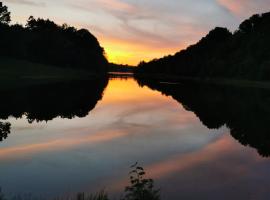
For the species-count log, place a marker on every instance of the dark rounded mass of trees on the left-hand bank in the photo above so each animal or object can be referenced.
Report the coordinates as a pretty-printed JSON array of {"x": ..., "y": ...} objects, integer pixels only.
[{"x": 45, "y": 42}]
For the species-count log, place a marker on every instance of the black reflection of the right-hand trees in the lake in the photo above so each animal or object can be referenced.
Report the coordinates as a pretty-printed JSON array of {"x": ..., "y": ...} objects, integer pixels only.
[{"x": 244, "y": 111}]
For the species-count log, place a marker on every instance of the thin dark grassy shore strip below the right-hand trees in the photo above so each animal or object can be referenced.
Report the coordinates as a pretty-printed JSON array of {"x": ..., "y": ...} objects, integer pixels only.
[{"x": 215, "y": 81}]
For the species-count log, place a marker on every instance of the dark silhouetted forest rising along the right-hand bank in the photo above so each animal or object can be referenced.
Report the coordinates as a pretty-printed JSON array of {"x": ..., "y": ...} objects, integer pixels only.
[{"x": 244, "y": 54}]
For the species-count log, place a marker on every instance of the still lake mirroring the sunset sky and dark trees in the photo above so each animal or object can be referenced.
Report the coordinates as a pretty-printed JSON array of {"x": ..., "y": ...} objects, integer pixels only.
[{"x": 196, "y": 142}]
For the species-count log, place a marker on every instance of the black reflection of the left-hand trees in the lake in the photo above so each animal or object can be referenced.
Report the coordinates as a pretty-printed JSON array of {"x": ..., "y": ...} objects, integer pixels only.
[{"x": 46, "y": 102}]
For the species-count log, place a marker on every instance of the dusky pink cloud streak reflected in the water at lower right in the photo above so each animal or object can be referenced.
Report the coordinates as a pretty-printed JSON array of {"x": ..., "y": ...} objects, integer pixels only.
[{"x": 222, "y": 148}]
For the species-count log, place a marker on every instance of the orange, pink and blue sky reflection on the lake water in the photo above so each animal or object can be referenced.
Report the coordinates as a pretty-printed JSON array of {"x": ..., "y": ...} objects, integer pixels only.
[{"x": 130, "y": 123}]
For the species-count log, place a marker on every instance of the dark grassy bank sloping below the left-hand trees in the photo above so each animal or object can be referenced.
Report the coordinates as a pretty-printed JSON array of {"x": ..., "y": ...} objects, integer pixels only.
[{"x": 16, "y": 73}]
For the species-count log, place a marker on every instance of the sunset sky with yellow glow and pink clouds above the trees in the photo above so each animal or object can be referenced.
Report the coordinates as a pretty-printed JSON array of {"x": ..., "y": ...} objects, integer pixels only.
[{"x": 135, "y": 30}]
